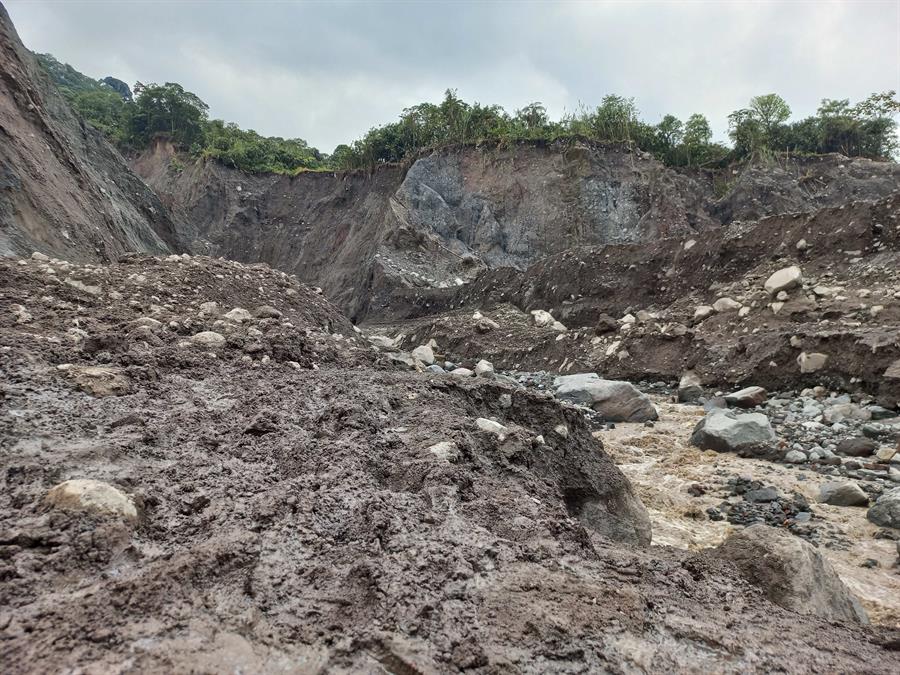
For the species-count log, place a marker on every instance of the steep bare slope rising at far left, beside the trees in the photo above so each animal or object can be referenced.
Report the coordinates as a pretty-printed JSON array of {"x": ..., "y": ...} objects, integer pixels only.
[{"x": 63, "y": 189}]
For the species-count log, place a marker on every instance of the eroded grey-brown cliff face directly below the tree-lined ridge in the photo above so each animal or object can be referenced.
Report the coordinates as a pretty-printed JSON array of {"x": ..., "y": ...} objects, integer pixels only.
[{"x": 448, "y": 216}]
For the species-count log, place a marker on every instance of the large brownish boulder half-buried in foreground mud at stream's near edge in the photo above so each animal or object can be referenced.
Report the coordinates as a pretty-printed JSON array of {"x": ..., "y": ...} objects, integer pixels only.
[{"x": 791, "y": 573}]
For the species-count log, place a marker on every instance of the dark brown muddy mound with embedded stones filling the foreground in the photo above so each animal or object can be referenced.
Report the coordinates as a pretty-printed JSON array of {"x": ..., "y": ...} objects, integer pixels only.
[{"x": 304, "y": 512}]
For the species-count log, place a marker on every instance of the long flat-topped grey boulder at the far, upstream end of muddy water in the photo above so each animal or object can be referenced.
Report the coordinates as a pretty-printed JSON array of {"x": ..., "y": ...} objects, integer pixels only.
[{"x": 616, "y": 401}]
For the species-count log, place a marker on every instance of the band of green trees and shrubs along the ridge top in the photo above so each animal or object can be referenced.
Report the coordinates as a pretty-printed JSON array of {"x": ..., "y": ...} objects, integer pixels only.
[{"x": 866, "y": 129}]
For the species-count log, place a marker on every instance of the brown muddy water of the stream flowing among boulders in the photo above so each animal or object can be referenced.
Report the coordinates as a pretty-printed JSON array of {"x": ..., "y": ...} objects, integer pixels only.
[{"x": 662, "y": 464}]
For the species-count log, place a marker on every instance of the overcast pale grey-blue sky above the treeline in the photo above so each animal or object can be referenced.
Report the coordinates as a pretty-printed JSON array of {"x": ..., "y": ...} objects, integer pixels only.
[{"x": 329, "y": 71}]
